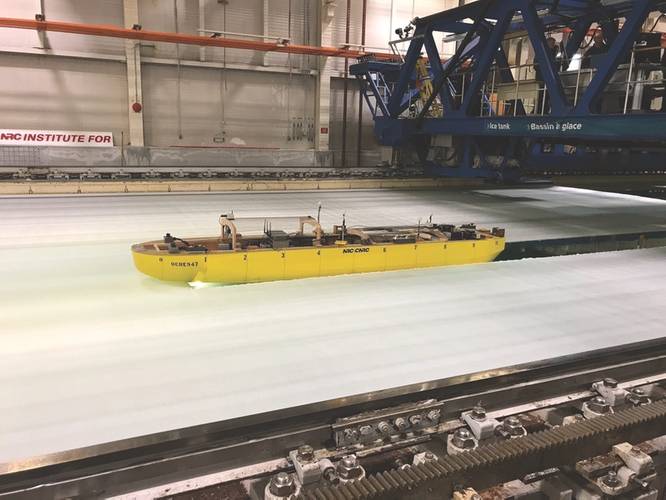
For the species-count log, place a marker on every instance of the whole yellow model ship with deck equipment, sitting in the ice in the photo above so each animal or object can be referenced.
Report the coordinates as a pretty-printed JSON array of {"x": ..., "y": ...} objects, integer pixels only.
[{"x": 277, "y": 255}]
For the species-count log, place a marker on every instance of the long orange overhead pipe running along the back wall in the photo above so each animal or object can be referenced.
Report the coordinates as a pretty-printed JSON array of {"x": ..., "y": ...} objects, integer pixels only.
[{"x": 158, "y": 36}]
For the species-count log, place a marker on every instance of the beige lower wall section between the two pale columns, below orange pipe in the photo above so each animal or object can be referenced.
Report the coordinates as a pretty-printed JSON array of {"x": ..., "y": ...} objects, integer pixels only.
[{"x": 255, "y": 107}]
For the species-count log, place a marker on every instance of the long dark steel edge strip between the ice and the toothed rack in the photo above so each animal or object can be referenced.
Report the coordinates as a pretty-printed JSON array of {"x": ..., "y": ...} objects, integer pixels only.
[{"x": 269, "y": 436}]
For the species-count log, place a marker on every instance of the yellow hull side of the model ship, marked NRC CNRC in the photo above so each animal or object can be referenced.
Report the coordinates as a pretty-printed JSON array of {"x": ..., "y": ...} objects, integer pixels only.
[{"x": 233, "y": 267}]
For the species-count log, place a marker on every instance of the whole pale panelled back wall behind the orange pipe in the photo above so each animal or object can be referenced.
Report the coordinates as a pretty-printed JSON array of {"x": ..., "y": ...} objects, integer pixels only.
[{"x": 84, "y": 94}]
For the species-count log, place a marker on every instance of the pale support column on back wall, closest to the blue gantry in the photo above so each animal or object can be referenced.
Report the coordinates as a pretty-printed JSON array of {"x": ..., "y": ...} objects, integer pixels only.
[{"x": 323, "y": 94}]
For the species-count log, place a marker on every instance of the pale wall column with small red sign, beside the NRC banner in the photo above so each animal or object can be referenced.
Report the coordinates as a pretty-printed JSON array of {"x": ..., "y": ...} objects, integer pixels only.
[{"x": 131, "y": 17}]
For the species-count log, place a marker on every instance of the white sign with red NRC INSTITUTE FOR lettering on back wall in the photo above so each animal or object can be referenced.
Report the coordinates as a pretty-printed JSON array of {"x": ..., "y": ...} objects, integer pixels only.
[{"x": 16, "y": 137}]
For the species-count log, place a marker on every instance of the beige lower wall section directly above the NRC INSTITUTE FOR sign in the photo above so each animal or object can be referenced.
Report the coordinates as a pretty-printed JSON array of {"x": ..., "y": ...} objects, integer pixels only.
[{"x": 40, "y": 92}]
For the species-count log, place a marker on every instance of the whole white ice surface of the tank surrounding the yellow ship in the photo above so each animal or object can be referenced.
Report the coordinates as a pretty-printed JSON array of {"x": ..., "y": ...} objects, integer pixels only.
[{"x": 94, "y": 351}]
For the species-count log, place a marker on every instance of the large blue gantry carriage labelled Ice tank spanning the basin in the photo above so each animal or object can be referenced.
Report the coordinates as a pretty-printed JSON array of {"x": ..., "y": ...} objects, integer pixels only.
[{"x": 567, "y": 109}]
